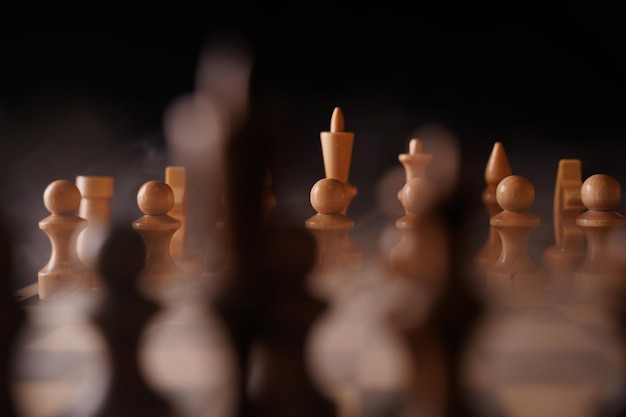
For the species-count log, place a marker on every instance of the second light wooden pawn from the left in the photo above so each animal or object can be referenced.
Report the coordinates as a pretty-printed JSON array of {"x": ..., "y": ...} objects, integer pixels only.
[{"x": 160, "y": 276}]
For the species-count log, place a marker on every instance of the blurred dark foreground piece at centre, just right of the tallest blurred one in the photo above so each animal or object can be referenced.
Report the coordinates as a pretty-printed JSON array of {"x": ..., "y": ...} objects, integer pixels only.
[{"x": 282, "y": 385}]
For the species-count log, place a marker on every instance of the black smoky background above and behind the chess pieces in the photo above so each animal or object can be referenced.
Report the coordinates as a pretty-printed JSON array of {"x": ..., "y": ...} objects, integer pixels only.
[{"x": 83, "y": 91}]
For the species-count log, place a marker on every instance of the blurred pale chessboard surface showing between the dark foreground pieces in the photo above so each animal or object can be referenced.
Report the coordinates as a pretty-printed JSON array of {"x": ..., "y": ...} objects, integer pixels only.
[{"x": 555, "y": 358}]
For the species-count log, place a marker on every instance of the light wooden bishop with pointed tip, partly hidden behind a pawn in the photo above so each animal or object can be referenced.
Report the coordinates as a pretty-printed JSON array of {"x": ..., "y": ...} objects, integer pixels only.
[{"x": 497, "y": 168}]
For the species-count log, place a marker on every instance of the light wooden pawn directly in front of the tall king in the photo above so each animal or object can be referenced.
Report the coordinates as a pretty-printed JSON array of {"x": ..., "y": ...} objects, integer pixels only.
[{"x": 330, "y": 227}]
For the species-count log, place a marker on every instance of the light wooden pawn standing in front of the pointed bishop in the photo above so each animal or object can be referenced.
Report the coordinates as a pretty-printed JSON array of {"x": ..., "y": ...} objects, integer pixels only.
[{"x": 515, "y": 277}]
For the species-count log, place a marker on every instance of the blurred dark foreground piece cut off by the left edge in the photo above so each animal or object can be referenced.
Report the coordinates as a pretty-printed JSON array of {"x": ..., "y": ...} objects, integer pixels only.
[{"x": 12, "y": 319}]
